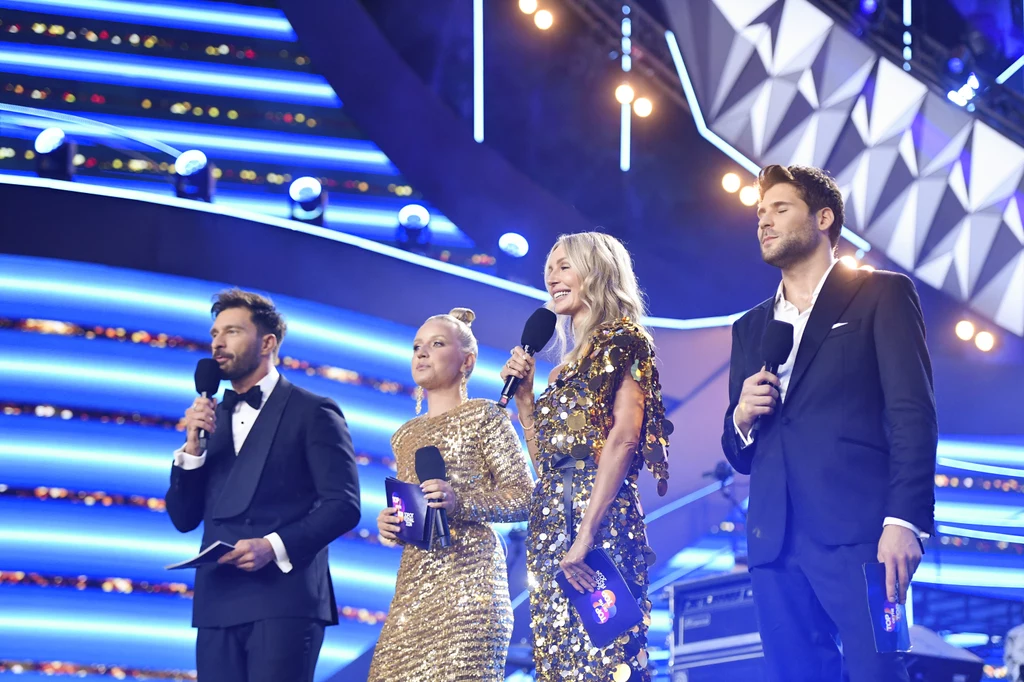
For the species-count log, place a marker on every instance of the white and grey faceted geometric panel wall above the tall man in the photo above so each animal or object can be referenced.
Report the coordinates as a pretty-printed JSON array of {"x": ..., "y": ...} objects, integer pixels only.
[{"x": 938, "y": 191}]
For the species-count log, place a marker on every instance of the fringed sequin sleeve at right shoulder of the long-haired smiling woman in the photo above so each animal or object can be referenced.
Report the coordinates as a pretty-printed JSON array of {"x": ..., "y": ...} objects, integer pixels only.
[{"x": 631, "y": 353}]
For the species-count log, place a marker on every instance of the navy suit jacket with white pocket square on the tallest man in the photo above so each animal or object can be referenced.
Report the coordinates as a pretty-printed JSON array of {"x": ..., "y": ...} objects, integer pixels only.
[{"x": 856, "y": 440}]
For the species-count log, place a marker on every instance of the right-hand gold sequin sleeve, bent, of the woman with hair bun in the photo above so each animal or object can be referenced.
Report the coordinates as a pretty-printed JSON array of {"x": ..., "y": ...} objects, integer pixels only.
[{"x": 502, "y": 497}]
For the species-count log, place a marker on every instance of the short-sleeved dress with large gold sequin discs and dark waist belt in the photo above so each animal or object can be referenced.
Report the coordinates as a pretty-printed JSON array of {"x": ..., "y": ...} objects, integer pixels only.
[{"x": 574, "y": 417}]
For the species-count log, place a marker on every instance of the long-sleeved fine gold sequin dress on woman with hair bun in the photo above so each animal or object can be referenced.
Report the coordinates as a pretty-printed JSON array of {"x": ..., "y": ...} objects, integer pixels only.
[{"x": 451, "y": 619}]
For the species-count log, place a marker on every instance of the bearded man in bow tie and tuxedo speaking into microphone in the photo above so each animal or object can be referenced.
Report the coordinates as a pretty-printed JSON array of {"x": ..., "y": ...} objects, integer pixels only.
[{"x": 278, "y": 481}]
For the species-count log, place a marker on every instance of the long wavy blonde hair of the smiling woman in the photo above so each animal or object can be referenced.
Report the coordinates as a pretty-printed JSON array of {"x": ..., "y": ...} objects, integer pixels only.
[{"x": 609, "y": 290}]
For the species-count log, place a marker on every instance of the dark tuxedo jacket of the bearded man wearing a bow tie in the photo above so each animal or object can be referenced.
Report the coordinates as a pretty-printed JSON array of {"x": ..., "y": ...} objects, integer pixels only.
[{"x": 296, "y": 476}]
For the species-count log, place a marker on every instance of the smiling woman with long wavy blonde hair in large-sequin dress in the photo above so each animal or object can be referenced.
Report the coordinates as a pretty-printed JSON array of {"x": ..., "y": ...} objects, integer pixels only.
[{"x": 589, "y": 435}]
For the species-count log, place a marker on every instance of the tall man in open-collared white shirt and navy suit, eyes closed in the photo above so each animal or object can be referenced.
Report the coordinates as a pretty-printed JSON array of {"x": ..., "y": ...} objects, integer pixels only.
[{"x": 842, "y": 464}]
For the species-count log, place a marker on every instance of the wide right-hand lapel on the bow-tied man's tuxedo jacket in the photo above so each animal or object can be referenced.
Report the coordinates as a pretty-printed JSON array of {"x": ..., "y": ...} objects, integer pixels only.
[{"x": 241, "y": 485}]
